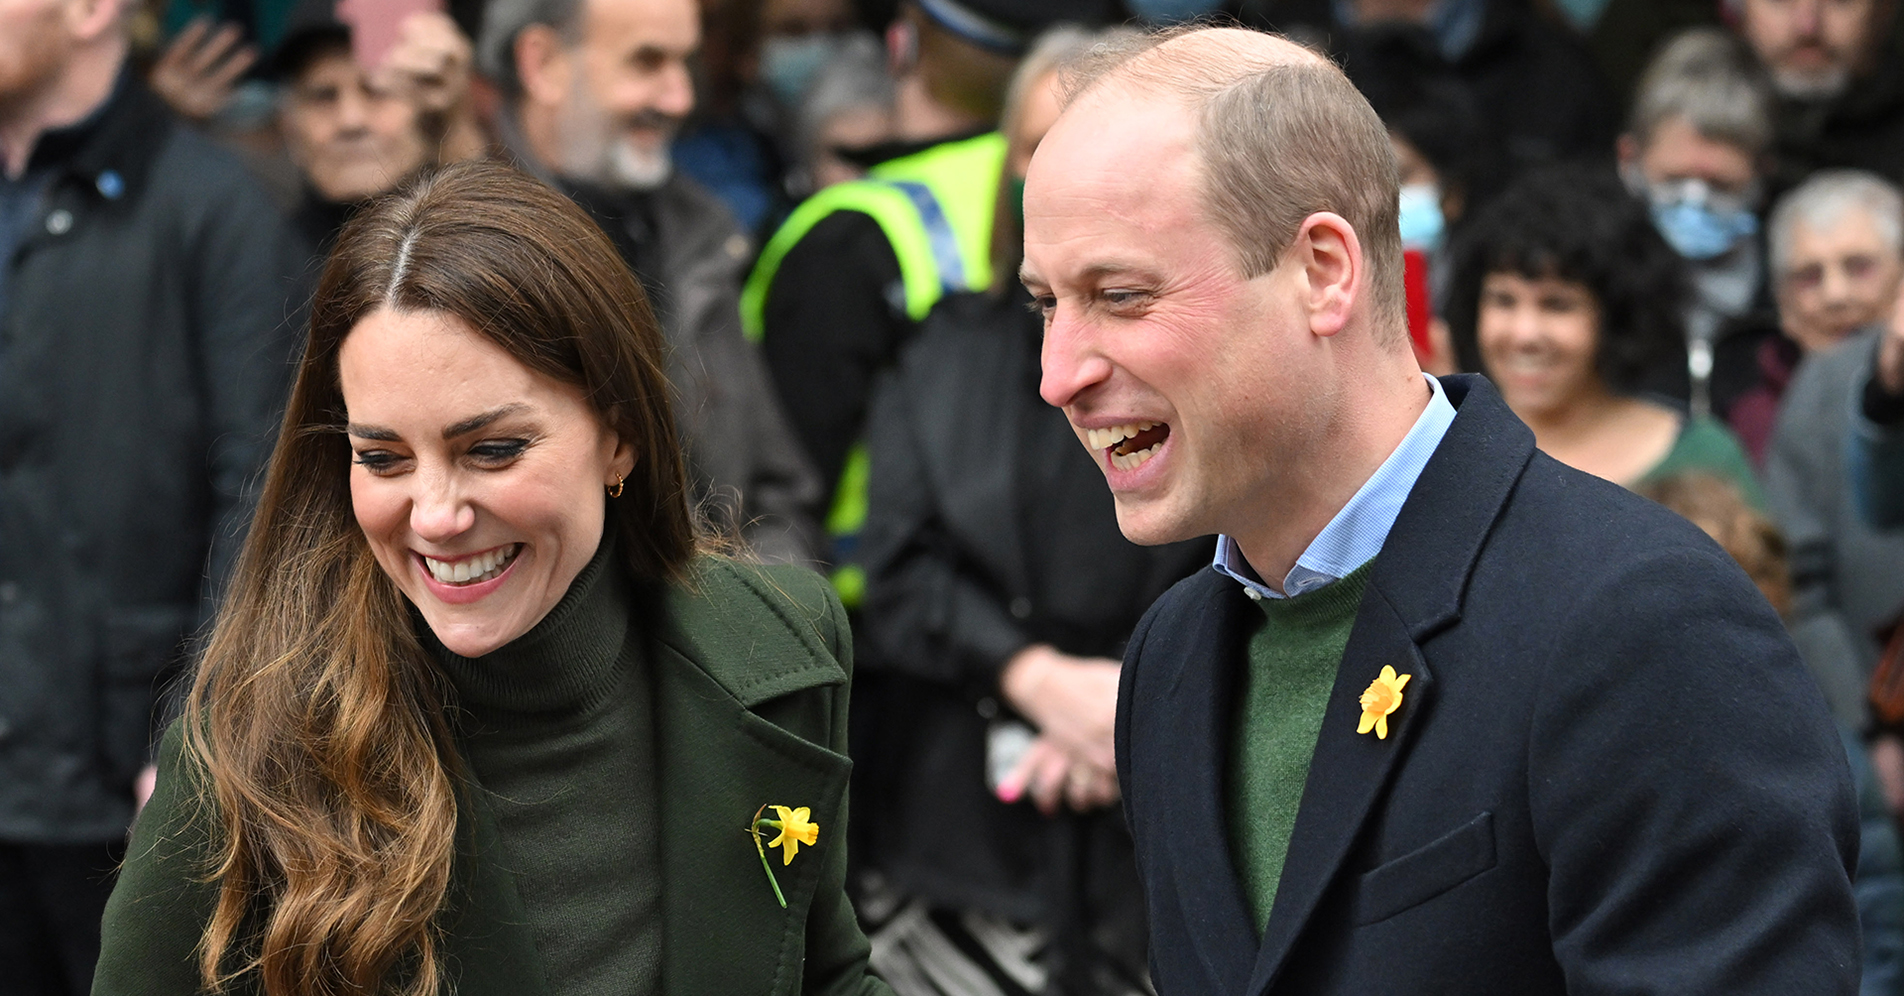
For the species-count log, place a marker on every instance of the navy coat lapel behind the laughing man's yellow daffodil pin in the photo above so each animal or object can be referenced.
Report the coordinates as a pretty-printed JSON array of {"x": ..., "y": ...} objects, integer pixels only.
[{"x": 1416, "y": 589}]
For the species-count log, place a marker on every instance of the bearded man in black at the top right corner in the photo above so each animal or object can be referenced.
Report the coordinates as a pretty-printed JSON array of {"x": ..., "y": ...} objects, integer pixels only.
[{"x": 1838, "y": 70}]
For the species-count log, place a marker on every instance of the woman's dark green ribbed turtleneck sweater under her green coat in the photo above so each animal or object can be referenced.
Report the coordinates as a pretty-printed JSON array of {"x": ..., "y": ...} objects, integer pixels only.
[{"x": 559, "y": 730}]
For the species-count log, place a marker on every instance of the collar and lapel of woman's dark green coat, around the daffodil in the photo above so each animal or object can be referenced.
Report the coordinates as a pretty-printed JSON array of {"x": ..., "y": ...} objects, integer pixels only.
[{"x": 724, "y": 930}]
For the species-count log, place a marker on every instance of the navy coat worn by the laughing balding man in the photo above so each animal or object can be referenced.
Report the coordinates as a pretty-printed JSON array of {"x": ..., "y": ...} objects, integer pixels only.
[{"x": 1610, "y": 770}]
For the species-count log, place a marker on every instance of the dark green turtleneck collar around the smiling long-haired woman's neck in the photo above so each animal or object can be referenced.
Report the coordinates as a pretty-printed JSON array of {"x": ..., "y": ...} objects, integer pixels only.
[{"x": 566, "y": 664}]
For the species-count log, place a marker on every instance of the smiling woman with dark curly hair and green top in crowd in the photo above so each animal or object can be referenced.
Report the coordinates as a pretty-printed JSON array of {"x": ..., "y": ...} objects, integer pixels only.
[{"x": 1566, "y": 298}]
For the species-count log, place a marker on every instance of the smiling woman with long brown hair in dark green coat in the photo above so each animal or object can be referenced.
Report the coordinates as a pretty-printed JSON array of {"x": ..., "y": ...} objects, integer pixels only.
[{"x": 481, "y": 709}]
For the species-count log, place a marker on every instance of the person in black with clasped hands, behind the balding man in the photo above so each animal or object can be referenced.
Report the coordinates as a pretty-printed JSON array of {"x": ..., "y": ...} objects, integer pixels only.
[{"x": 999, "y": 599}]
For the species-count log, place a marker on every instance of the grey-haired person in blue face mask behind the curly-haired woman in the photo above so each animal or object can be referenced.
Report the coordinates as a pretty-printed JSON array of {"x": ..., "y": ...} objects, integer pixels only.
[{"x": 1696, "y": 151}]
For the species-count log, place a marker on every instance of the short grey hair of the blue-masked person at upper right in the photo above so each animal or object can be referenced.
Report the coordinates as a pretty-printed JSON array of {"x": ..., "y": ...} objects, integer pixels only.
[{"x": 1709, "y": 79}]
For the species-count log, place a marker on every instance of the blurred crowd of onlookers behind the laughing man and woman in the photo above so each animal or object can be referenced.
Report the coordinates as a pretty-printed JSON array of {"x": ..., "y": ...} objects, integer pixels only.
[{"x": 1671, "y": 231}]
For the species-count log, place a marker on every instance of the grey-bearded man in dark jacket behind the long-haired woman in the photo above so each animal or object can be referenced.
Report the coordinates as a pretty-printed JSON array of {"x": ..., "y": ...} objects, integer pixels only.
[{"x": 595, "y": 92}]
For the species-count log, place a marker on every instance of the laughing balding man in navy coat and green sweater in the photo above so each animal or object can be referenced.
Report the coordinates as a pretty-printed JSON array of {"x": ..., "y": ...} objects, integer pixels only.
[{"x": 1446, "y": 717}]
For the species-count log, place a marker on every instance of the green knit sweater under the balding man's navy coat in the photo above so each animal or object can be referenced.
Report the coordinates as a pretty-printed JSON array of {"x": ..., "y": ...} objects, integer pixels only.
[{"x": 1280, "y": 702}]
